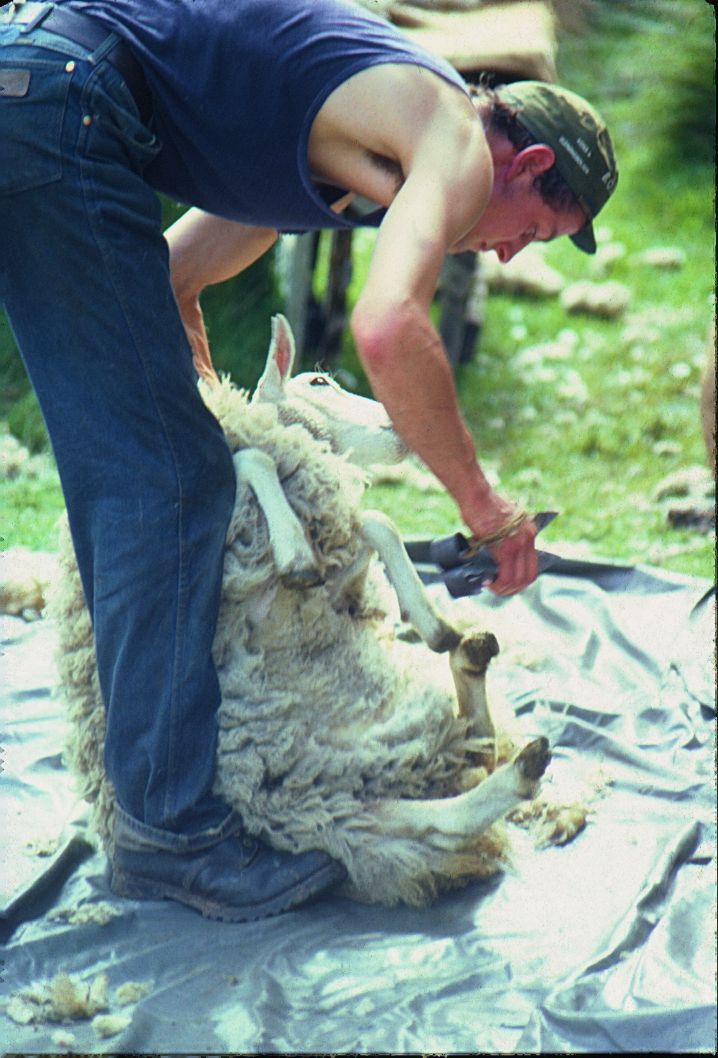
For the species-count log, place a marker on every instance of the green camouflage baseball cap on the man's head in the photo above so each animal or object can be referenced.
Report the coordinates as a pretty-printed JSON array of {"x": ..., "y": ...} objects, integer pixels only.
[{"x": 578, "y": 137}]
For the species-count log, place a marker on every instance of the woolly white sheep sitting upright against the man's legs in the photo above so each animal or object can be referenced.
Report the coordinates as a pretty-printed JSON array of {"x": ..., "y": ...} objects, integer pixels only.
[{"x": 336, "y": 733}]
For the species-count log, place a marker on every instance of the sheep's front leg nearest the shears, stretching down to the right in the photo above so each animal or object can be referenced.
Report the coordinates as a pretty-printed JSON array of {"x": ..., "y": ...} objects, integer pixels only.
[{"x": 381, "y": 534}]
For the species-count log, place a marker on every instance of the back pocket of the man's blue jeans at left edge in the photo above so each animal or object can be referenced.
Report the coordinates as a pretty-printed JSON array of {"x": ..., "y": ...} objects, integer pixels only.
[{"x": 33, "y": 105}]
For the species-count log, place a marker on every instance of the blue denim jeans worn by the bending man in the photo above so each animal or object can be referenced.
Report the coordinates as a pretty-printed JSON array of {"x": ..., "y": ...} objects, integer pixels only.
[{"x": 146, "y": 473}]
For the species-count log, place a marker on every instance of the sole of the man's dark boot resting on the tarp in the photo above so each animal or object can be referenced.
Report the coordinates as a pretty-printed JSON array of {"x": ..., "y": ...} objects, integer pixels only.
[{"x": 145, "y": 889}]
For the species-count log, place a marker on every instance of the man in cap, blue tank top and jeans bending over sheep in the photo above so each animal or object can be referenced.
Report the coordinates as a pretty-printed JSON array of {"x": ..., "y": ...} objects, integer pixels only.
[{"x": 259, "y": 116}]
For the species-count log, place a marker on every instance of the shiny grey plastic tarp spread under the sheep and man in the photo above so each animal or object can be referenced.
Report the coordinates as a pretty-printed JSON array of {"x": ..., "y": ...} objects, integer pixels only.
[{"x": 603, "y": 945}]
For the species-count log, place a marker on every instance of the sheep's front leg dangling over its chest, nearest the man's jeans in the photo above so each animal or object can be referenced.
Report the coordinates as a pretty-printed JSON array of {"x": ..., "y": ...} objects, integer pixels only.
[{"x": 293, "y": 557}]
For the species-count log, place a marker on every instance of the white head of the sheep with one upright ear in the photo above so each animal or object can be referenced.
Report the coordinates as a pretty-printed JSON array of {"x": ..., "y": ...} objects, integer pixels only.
[{"x": 355, "y": 427}]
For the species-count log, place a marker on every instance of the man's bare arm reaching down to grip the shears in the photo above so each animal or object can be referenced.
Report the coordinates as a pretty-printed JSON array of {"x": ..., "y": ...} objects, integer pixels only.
[{"x": 449, "y": 179}]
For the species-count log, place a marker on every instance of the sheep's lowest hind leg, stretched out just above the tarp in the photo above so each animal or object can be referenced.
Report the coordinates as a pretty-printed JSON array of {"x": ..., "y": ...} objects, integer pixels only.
[{"x": 448, "y": 824}]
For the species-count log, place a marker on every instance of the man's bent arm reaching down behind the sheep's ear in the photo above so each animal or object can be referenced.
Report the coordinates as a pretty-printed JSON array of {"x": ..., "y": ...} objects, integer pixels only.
[{"x": 206, "y": 250}]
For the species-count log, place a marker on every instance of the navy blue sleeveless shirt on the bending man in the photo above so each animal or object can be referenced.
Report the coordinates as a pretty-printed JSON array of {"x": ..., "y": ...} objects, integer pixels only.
[{"x": 236, "y": 86}]
